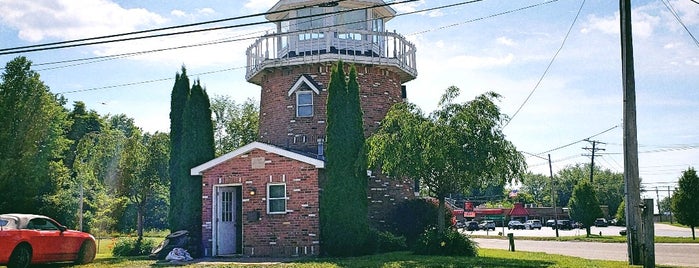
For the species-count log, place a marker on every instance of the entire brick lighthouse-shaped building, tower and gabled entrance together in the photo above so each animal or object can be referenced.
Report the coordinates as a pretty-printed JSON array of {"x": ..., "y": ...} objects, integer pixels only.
[{"x": 262, "y": 199}]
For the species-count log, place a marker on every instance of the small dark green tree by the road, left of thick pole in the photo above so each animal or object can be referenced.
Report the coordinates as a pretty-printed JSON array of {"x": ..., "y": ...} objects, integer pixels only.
[{"x": 584, "y": 206}]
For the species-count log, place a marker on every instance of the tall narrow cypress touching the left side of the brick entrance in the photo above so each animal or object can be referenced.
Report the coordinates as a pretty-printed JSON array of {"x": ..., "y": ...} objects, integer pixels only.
[{"x": 198, "y": 148}]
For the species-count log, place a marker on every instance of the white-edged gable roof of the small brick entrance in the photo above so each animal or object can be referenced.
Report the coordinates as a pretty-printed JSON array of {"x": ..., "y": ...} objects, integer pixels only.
[{"x": 199, "y": 170}]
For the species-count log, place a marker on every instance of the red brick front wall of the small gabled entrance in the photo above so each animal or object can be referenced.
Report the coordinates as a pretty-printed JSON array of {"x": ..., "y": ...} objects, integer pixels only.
[{"x": 295, "y": 233}]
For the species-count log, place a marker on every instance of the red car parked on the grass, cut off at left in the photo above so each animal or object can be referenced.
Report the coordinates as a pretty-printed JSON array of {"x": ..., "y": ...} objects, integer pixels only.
[{"x": 30, "y": 239}]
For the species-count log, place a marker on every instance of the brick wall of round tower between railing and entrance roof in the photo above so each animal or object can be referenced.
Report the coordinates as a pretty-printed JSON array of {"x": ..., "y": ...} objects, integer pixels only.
[{"x": 379, "y": 90}]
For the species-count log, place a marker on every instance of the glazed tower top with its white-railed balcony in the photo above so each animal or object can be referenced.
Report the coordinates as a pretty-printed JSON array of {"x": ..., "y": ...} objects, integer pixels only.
[{"x": 319, "y": 31}]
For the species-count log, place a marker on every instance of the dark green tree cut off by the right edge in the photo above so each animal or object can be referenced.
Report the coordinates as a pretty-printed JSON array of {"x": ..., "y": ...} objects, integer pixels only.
[{"x": 686, "y": 200}]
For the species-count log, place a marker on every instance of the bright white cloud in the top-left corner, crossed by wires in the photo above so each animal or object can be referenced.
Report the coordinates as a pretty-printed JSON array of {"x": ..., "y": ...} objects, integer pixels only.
[{"x": 67, "y": 19}]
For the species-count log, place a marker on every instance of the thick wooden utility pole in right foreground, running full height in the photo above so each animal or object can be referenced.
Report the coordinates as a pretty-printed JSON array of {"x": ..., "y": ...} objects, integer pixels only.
[{"x": 631, "y": 179}]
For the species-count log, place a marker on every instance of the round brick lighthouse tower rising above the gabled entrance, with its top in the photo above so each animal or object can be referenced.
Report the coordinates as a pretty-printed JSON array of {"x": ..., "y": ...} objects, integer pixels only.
[{"x": 293, "y": 67}]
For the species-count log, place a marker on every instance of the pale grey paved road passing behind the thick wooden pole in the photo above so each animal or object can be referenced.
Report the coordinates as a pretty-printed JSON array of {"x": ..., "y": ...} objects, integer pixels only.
[{"x": 669, "y": 254}]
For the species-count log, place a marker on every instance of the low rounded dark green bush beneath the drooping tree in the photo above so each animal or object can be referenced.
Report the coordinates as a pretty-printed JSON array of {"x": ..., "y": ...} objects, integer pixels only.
[{"x": 450, "y": 243}]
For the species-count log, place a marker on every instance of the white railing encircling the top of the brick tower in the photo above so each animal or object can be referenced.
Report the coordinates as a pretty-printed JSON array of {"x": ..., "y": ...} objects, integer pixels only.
[{"x": 326, "y": 45}]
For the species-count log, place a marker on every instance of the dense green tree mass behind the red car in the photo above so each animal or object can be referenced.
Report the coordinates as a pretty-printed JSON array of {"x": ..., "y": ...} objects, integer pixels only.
[{"x": 64, "y": 164}]
